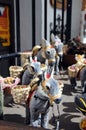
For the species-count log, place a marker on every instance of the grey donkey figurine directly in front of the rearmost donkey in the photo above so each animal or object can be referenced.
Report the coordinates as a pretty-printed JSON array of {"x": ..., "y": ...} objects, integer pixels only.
[{"x": 45, "y": 54}]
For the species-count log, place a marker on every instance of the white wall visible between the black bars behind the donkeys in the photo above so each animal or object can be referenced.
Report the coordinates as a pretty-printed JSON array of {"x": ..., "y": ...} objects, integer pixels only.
[{"x": 26, "y": 21}]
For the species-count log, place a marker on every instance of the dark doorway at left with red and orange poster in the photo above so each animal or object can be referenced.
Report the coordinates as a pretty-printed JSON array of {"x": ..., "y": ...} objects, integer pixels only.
[{"x": 7, "y": 35}]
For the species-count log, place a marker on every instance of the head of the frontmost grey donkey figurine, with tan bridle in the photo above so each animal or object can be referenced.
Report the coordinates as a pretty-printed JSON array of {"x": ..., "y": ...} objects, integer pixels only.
[{"x": 51, "y": 89}]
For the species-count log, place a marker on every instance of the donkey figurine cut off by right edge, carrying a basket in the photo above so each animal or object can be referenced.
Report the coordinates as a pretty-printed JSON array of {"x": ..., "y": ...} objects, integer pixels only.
[{"x": 80, "y": 72}]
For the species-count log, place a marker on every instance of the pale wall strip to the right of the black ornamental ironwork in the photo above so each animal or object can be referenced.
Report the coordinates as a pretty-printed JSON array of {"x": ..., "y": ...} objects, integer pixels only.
[{"x": 76, "y": 18}]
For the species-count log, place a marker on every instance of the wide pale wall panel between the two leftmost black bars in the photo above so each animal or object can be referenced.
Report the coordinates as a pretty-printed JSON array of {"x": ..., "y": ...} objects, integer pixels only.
[{"x": 25, "y": 25}]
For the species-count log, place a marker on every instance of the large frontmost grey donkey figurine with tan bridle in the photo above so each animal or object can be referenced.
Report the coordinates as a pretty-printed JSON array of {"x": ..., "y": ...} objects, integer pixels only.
[{"x": 40, "y": 101}]
